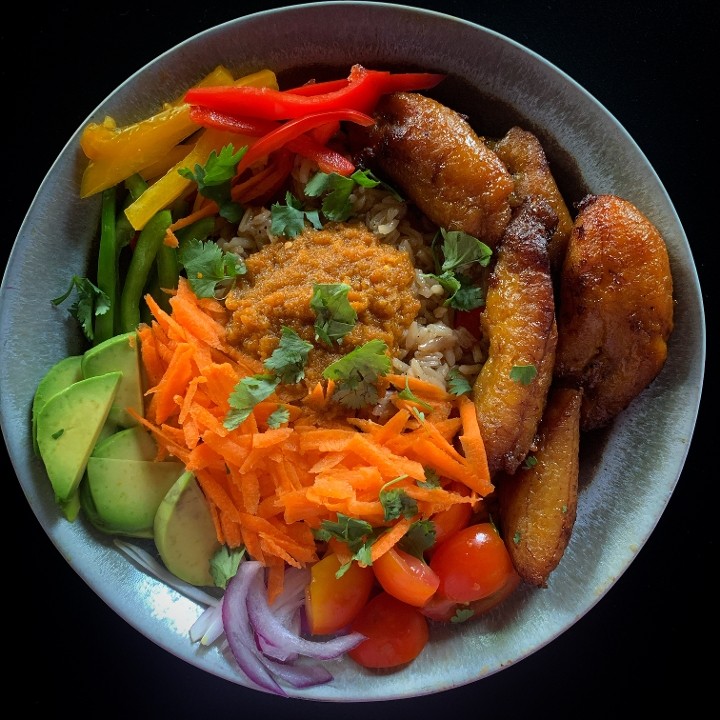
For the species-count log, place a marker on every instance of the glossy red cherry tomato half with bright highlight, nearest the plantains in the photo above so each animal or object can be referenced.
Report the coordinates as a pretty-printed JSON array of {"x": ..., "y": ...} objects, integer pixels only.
[{"x": 472, "y": 564}]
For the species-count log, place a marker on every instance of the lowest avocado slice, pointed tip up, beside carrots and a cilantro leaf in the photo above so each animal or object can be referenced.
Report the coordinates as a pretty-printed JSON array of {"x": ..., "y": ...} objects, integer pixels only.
[{"x": 185, "y": 533}]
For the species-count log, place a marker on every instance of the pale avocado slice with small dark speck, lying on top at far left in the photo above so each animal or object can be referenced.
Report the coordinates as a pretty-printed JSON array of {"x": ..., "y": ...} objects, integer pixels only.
[{"x": 68, "y": 427}]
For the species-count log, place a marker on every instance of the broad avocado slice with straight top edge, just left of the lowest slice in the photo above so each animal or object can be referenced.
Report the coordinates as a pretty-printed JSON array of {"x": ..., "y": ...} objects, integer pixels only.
[{"x": 127, "y": 493}]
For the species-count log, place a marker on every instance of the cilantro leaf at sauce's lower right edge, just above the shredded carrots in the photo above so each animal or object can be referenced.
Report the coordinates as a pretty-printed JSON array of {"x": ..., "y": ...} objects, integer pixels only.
[{"x": 356, "y": 374}]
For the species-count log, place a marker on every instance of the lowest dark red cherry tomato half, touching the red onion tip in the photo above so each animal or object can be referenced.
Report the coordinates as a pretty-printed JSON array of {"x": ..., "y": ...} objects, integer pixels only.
[{"x": 396, "y": 632}]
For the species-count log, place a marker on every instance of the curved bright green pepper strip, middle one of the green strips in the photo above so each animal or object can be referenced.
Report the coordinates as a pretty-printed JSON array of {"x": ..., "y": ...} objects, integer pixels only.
[{"x": 143, "y": 259}]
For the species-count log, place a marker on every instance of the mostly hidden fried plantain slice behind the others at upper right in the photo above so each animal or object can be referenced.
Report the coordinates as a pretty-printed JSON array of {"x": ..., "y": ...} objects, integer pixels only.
[{"x": 525, "y": 158}]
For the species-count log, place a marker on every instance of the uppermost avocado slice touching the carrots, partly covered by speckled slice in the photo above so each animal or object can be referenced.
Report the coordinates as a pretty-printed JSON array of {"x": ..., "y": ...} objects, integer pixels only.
[{"x": 122, "y": 353}]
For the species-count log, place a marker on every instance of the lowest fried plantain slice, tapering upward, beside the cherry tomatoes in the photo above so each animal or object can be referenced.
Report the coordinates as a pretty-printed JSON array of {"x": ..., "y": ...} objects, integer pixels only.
[{"x": 537, "y": 505}]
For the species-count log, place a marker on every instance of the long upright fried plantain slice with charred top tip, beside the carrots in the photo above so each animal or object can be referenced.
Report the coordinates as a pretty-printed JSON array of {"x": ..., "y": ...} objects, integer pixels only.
[{"x": 519, "y": 322}]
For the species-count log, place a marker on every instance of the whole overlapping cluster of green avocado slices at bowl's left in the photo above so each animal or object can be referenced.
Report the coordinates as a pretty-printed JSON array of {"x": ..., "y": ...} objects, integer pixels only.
[{"x": 102, "y": 462}]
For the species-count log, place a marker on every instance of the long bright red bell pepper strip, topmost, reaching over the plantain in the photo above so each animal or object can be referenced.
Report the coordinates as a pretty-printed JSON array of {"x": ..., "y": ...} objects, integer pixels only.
[{"x": 362, "y": 91}]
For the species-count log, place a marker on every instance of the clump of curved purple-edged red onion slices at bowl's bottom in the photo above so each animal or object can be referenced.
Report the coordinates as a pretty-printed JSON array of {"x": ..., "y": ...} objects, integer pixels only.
[{"x": 266, "y": 641}]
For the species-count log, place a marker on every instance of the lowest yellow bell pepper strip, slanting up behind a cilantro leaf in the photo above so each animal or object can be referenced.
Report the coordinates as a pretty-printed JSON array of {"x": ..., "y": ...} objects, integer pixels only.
[{"x": 173, "y": 185}]
